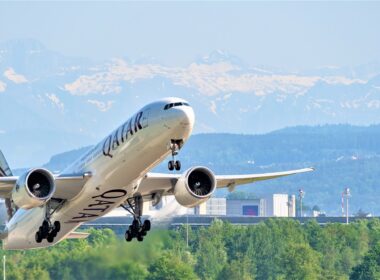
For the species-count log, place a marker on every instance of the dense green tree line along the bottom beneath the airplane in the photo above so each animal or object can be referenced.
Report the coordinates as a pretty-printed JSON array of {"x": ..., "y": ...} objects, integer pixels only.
[{"x": 275, "y": 249}]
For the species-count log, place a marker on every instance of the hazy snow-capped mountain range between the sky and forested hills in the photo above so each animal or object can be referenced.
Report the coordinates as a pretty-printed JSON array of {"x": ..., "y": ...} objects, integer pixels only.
[{"x": 51, "y": 103}]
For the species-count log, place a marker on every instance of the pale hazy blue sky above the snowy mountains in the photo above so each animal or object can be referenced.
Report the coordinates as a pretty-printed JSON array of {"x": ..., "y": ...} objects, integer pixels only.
[{"x": 285, "y": 34}]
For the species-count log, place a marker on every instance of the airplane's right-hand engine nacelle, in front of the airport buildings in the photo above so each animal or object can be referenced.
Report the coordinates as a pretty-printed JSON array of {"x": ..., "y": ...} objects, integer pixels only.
[{"x": 195, "y": 186}]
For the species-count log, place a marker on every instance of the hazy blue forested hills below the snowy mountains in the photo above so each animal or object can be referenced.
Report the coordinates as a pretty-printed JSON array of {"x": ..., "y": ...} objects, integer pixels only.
[{"x": 343, "y": 155}]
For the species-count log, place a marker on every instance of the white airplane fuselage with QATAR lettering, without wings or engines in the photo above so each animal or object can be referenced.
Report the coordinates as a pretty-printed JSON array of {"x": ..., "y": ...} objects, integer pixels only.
[{"x": 118, "y": 164}]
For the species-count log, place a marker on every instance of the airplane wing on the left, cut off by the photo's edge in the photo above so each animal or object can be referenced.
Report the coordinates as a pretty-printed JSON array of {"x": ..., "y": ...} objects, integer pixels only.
[{"x": 67, "y": 186}]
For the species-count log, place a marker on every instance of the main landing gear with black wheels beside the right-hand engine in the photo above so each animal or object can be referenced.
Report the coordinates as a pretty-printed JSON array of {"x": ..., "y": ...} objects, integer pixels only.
[{"x": 137, "y": 229}]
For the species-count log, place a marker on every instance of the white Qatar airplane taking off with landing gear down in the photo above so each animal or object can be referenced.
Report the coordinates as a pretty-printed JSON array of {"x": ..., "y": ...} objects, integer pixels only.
[{"x": 46, "y": 208}]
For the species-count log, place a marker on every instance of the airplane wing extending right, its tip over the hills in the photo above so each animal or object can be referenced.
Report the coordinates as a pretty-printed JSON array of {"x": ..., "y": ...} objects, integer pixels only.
[{"x": 163, "y": 184}]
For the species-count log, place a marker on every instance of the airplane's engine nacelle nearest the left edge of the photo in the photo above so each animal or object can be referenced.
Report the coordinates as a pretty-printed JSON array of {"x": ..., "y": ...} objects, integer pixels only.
[{"x": 33, "y": 189}]
